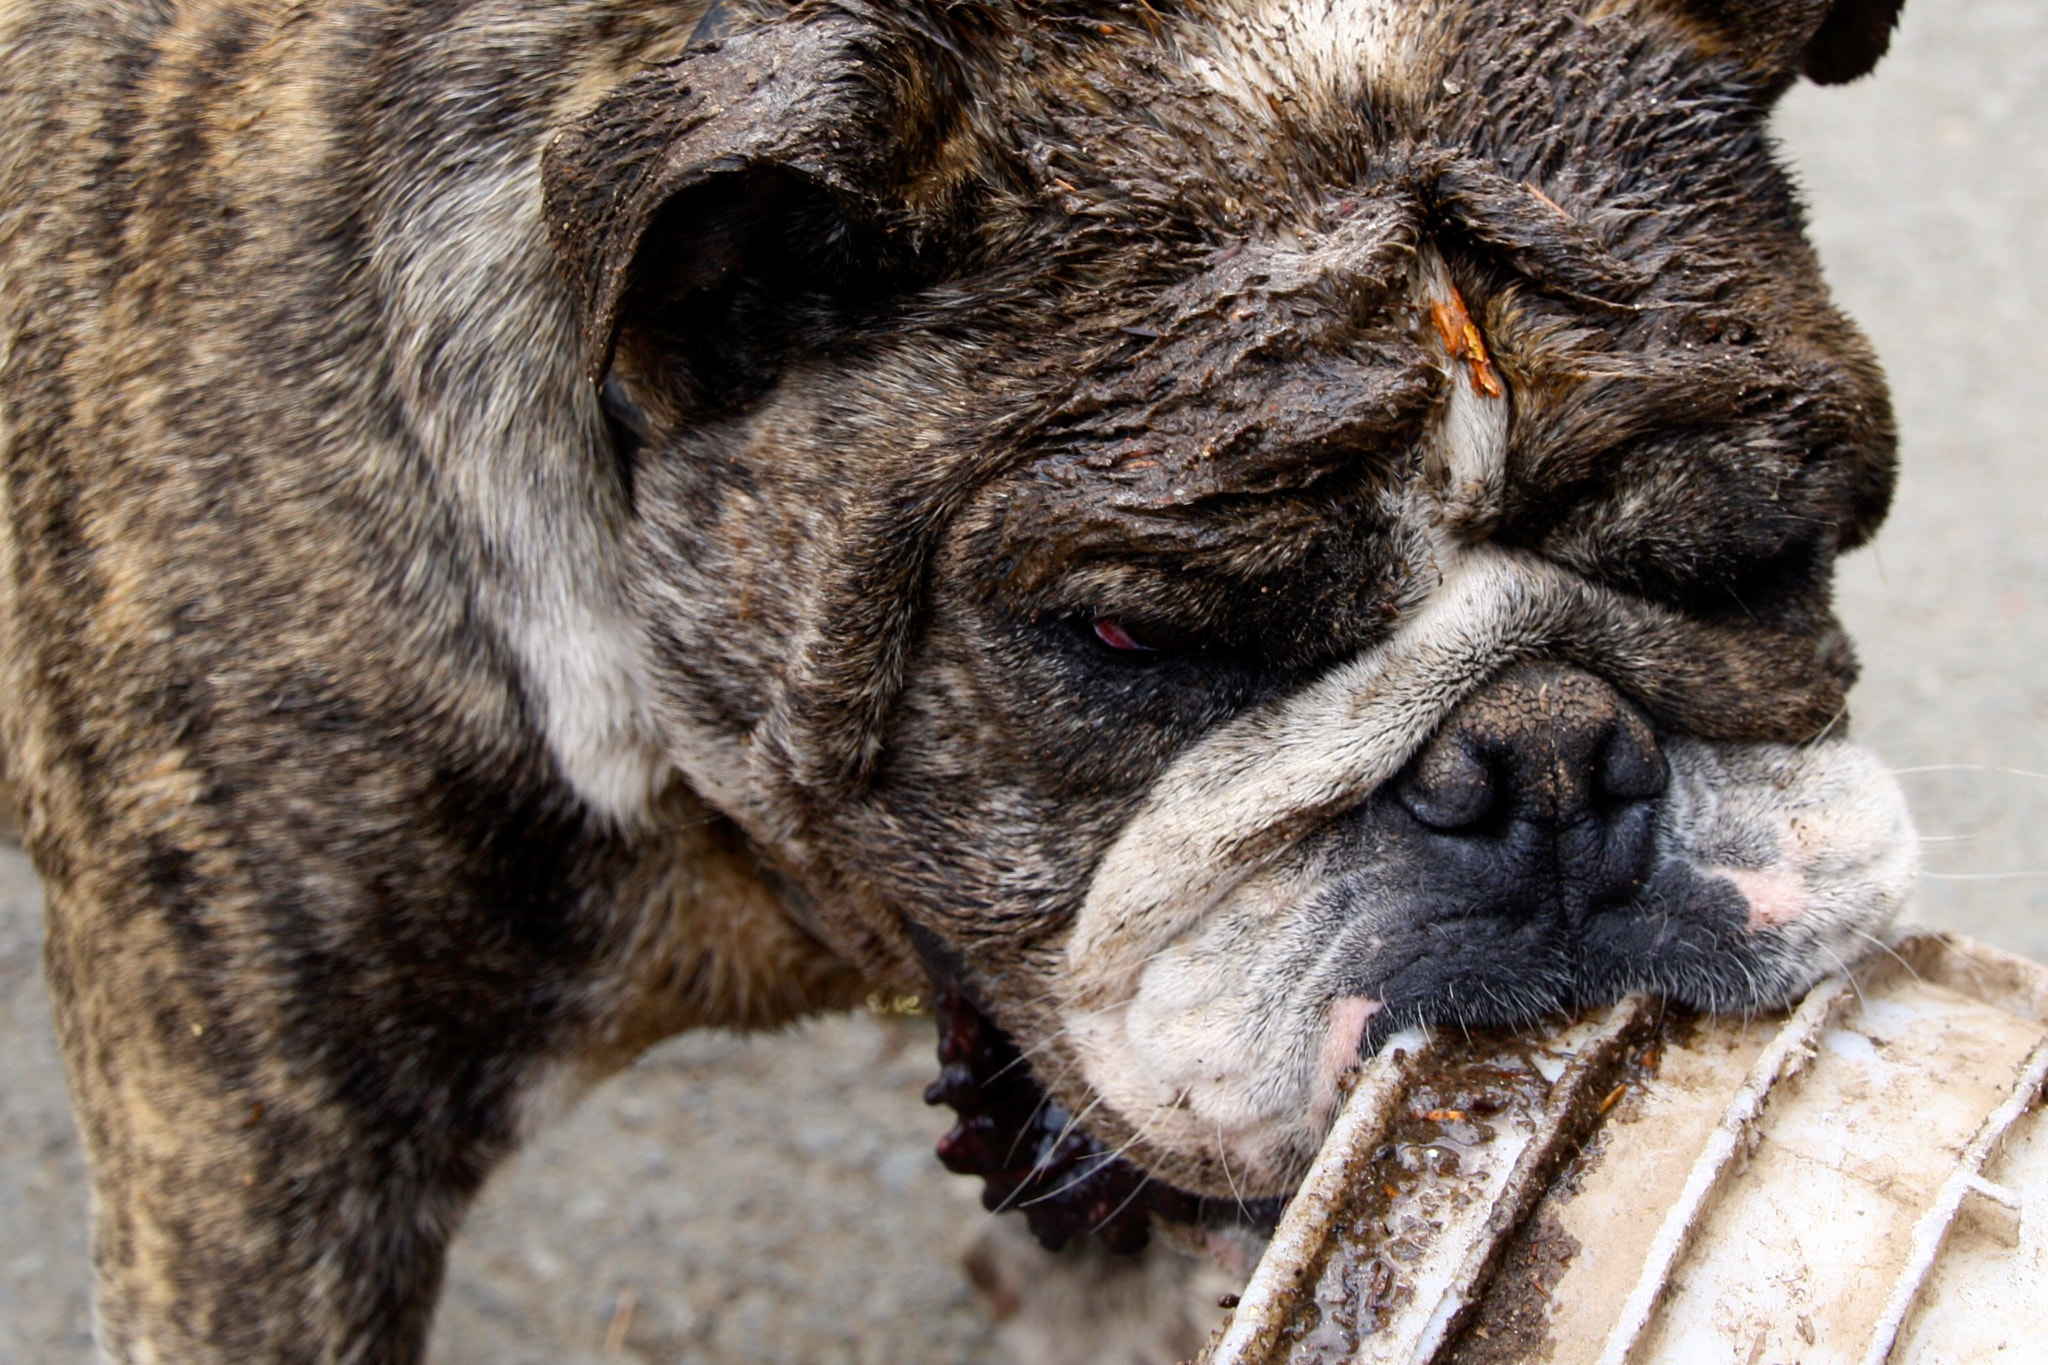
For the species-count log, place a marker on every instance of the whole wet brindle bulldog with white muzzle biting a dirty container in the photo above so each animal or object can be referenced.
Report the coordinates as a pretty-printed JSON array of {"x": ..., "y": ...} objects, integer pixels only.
[{"x": 1205, "y": 531}]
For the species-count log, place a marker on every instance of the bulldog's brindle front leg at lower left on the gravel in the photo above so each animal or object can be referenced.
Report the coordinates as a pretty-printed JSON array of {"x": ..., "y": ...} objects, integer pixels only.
[{"x": 251, "y": 1200}]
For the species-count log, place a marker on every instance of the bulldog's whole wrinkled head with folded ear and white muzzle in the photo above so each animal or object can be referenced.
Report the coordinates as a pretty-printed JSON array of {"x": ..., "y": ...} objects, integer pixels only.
[{"x": 1240, "y": 527}]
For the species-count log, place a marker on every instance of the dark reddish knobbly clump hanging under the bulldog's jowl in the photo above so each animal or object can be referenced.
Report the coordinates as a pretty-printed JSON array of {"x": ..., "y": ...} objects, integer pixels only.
[{"x": 1035, "y": 1157}]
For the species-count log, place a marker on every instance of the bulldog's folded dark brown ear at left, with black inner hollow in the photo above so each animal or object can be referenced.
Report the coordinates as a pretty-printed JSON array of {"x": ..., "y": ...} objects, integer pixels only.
[{"x": 716, "y": 202}]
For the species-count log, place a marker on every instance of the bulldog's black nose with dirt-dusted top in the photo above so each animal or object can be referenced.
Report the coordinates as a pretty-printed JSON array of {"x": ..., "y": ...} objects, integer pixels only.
[{"x": 1539, "y": 795}]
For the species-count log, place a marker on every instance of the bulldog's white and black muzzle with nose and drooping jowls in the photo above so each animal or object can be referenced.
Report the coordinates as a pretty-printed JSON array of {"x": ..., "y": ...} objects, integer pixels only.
[{"x": 1478, "y": 824}]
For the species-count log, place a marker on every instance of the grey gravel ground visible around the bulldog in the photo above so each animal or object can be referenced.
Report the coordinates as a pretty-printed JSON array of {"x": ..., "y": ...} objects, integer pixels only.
[{"x": 773, "y": 1198}]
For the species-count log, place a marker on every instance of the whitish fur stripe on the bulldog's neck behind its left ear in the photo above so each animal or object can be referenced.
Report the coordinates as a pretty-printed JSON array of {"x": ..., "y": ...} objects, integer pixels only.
[{"x": 474, "y": 283}]
